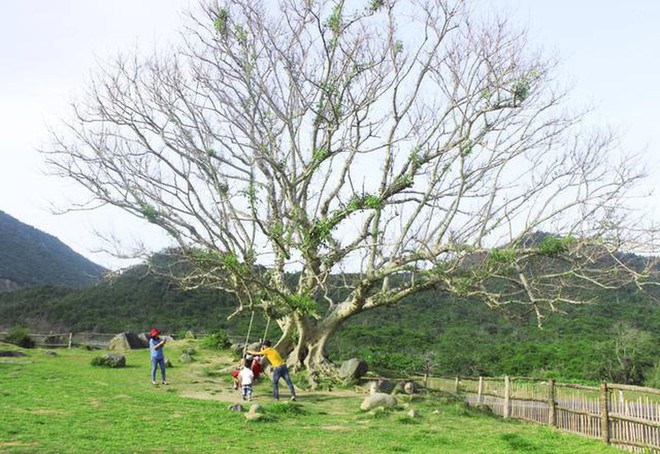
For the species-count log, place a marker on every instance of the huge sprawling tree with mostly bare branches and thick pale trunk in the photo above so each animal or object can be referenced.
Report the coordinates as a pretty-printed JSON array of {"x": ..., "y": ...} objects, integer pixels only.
[{"x": 323, "y": 158}]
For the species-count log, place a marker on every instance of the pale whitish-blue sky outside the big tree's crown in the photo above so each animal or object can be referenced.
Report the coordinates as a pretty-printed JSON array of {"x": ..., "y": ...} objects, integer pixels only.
[{"x": 608, "y": 50}]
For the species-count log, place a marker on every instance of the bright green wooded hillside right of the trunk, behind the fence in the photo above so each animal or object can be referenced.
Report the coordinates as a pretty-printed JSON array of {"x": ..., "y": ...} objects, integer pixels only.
[{"x": 616, "y": 338}]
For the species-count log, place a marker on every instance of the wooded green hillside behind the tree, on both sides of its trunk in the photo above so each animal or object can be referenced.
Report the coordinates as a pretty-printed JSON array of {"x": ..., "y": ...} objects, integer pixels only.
[{"x": 616, "y": 338}]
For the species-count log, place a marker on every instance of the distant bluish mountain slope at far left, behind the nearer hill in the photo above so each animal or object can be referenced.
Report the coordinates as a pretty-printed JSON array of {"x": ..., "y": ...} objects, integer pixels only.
[{"x": 32, "y": 258}]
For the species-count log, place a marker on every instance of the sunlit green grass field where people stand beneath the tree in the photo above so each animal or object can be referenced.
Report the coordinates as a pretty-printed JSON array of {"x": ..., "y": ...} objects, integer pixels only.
[{"x": 62, "y": 404}]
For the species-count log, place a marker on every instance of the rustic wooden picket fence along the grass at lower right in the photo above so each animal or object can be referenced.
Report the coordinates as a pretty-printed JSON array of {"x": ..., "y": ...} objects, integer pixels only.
[{"x": 625, "y": 416}]
